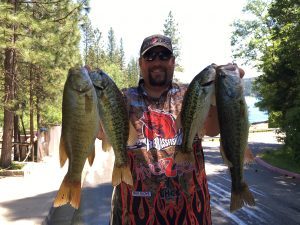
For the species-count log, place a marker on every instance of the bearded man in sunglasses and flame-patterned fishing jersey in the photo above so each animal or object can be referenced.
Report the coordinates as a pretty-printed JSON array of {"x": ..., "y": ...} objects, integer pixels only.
[{"x": 157, "y": 196}]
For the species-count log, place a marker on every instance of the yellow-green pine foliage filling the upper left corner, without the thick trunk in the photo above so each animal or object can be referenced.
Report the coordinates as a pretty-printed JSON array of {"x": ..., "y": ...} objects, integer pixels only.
[{"x": 46, "y": 39}]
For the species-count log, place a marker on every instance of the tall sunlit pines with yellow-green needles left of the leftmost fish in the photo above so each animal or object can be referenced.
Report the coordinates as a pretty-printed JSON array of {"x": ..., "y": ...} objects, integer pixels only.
[{"x": 38, "y": 43}]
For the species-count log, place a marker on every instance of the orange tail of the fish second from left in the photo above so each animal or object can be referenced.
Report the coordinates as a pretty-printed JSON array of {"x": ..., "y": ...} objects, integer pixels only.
[{"x": 120, "y": 174}]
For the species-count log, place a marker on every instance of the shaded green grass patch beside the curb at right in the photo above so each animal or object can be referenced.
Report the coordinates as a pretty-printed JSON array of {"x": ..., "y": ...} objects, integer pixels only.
[{"x": 281, "y": 158}]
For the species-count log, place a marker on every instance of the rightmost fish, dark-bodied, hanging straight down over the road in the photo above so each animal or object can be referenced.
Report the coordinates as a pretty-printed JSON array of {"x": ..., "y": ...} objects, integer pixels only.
[{"x": 234, "y": 130}]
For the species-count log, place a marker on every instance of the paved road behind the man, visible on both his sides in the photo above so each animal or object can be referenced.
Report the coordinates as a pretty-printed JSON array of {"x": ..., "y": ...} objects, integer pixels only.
[{"x": 277, "y": 197}]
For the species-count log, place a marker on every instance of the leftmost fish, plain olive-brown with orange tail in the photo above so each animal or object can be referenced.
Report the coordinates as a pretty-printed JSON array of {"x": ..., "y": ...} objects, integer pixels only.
[{"x": 80, "y": 125}]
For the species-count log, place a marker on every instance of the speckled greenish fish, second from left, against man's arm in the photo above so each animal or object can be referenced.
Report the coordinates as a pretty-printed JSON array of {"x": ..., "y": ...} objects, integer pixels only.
[{"x": 114, "y": 119}]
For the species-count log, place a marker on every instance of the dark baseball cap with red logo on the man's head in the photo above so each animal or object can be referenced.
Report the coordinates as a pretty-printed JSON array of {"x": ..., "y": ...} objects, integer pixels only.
[{"x": 156, "y": 40}]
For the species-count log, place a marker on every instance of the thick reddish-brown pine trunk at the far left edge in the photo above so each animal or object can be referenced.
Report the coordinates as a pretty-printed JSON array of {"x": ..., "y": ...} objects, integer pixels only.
[{"x": 9, "y": 75}]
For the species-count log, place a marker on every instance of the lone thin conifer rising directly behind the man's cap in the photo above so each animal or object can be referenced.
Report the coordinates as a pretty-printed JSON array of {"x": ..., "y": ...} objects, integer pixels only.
[{"x": 171, "y": 30}]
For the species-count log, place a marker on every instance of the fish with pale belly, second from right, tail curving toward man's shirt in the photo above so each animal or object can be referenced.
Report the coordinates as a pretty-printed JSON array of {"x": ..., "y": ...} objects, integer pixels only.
[{"x": 195, "y": 107}]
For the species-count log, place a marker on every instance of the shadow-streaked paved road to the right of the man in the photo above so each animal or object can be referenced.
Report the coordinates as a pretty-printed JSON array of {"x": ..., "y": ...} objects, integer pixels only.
[{"x": 277, "y": 197}]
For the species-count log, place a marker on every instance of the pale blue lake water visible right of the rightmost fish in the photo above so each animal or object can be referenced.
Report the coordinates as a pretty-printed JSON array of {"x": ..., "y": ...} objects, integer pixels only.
[{"x": 255, "y": 115}]
